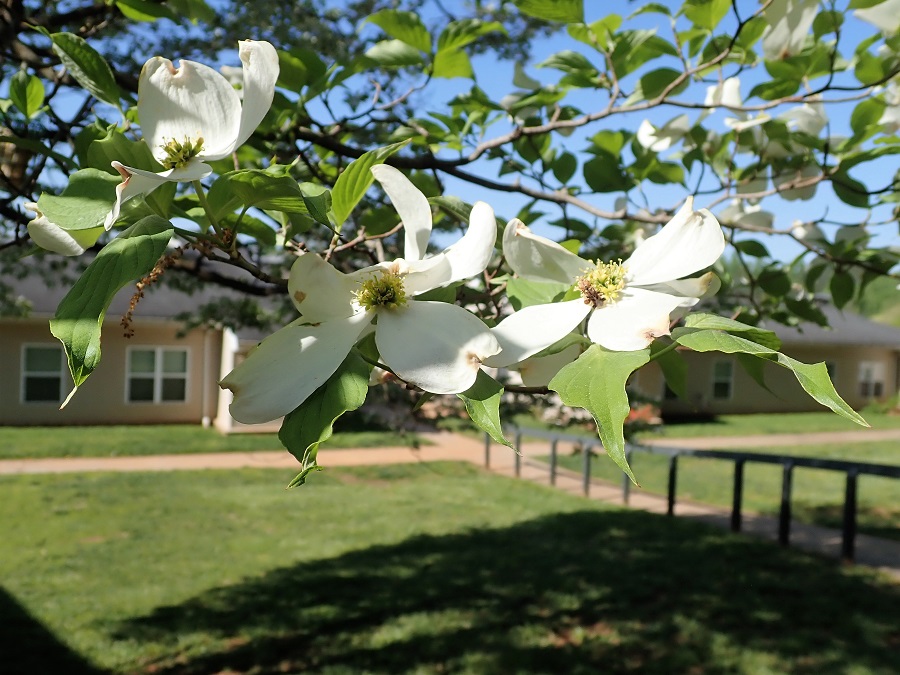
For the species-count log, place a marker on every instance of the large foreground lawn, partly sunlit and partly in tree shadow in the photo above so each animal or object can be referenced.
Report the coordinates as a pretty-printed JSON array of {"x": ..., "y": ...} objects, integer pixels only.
[{"x": 424, "y": 568}]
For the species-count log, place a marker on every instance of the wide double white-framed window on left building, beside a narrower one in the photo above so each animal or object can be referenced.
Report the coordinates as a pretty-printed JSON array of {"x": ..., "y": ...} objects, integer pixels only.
[{"x": 157, "y": 375}]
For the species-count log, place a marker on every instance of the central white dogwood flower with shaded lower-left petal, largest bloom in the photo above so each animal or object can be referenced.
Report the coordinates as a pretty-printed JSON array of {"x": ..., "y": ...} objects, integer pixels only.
[{"x": 434, "y": 345}]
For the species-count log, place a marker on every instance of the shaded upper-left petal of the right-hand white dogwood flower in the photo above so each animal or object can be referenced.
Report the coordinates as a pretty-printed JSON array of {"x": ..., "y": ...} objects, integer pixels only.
[{"x": 535, "y": 257}]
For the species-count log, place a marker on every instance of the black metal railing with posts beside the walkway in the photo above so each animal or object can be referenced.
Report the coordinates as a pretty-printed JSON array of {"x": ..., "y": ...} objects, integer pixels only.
[{"x": 851, "y": 470}]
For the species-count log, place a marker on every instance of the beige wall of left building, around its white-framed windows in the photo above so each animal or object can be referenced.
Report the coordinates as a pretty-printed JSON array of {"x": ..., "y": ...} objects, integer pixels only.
[{"x": 102, "y": 399}]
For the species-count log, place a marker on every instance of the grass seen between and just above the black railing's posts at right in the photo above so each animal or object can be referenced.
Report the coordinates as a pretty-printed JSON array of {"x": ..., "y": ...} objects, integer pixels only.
[{"x": 817, "y": 494}]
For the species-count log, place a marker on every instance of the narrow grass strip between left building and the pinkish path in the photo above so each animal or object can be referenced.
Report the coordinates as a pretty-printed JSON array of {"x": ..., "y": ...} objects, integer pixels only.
[{"x": 118, "y": 441}]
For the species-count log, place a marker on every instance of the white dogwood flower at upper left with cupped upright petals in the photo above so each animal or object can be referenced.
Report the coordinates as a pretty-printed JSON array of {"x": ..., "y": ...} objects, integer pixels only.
[{"x": 192, "y": 114}]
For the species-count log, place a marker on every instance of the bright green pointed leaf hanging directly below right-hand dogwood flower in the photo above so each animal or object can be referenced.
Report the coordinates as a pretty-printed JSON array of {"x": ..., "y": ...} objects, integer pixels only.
[{"x": 596, "y": 382}]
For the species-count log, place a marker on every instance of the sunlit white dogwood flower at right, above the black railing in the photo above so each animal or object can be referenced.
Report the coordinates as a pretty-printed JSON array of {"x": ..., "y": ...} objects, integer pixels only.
[{"x": 627, "y": 304}]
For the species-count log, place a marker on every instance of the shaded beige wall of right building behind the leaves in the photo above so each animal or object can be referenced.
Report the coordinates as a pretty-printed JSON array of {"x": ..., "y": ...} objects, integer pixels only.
[{"x": 748, "y": 396}]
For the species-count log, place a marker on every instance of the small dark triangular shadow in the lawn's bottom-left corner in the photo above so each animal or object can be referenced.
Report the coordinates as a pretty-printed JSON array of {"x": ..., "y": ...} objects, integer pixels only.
[{"x": 28, "y": 648}]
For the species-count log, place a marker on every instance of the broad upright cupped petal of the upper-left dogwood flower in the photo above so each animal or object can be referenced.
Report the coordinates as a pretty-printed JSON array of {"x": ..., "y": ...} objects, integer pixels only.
[{"x": 191, "y": 102}]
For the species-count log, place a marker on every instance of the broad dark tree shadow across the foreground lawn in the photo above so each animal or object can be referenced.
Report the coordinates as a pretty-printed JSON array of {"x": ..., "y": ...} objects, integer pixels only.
[{"x": 582, "y": 592}]
